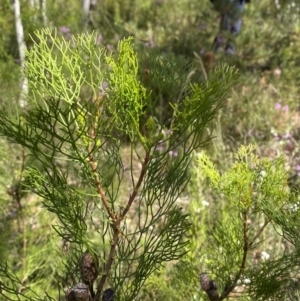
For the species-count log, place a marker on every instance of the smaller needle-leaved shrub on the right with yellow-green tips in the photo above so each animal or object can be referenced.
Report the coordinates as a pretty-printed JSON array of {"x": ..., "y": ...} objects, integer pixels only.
[{"x": 256, "y": 193}]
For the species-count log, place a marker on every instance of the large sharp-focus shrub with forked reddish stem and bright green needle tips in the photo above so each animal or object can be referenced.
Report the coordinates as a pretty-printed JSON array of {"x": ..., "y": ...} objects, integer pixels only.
[{"x": 119, "y": 213}]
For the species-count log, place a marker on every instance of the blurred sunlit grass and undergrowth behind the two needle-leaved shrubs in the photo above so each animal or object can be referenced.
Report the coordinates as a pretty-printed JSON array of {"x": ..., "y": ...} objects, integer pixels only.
[{"x": 262, "y": 109}]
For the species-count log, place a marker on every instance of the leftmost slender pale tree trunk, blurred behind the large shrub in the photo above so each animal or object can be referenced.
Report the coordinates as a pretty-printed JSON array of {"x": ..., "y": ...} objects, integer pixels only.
[{"x": 22, "y": 51}]
